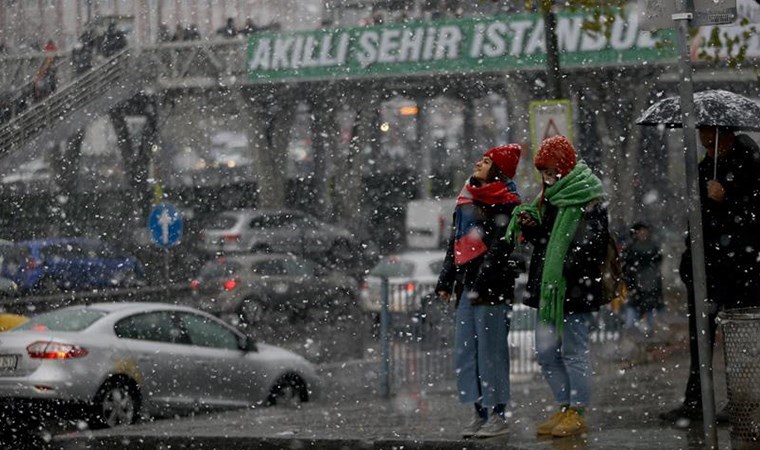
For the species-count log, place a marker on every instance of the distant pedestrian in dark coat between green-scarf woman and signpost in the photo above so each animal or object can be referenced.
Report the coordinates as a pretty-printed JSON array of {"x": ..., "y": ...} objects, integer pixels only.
[{"x": 642, "y": 263}]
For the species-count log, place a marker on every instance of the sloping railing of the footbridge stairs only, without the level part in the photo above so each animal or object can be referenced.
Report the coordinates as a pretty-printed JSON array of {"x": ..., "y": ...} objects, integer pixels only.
[{"x": 117, "y": 72}]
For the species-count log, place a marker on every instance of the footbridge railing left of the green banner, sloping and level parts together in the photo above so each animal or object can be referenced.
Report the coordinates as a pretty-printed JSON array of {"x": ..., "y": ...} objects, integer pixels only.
[{"x": 203, "y": 64}]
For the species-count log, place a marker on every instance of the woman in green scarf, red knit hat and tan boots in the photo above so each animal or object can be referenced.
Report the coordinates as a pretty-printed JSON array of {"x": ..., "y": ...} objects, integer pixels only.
[{"x": 567, "y": 226}]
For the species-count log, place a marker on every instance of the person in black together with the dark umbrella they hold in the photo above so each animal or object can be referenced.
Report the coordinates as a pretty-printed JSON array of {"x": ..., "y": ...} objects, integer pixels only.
[{"x": 729, "y": 195}]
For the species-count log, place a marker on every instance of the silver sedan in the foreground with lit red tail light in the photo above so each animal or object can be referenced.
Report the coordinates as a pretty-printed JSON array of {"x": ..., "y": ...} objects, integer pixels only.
[{"x": 115, "y": 361}]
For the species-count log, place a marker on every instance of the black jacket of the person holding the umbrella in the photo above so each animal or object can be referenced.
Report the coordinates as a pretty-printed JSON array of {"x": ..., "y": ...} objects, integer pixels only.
[{"x": 731, "y": 229}]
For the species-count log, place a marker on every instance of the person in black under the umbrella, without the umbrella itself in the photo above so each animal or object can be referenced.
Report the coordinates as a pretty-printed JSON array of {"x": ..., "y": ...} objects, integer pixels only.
[{"x": 730, "y": 194}]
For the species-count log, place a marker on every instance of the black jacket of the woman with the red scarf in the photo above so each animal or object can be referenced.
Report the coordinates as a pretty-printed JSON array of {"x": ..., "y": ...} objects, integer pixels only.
[{"x": 491, "y": 275}]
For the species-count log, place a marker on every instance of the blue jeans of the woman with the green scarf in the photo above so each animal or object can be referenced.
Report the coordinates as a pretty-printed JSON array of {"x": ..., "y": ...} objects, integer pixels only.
[{"x": 565, "y": 360}]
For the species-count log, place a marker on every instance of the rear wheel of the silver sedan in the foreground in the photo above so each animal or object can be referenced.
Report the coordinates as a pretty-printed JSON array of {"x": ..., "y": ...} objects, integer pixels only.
[{"x": 117, "y": 403}]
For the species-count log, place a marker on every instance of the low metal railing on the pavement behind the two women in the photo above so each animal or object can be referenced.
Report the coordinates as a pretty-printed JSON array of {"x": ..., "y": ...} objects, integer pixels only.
[{"x": 417, "y": 338}]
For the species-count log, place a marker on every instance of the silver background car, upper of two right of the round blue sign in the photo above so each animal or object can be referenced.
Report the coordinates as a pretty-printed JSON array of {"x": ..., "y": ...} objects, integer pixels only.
[{"x": 282, "y": 231}]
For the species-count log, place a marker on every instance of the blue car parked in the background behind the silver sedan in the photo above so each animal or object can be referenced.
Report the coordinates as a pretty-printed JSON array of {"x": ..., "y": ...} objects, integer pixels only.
[{"x": 53, "y": 265}]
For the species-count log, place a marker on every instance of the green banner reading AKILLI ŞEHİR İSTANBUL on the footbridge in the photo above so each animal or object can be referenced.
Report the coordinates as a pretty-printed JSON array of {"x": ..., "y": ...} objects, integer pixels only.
[{"x": 492, "y": 44}]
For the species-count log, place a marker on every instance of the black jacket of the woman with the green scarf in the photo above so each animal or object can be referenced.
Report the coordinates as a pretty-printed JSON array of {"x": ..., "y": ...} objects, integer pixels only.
[{"x": 582, "y": 267}]
